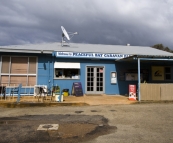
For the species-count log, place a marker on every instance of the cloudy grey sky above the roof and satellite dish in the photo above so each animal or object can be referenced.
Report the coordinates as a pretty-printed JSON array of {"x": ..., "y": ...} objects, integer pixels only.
[{"x": 113, "y": 22}]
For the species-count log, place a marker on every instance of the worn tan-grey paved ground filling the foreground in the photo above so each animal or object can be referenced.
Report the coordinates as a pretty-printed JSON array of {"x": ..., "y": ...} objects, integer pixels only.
[{"x": 128, "y": 123}]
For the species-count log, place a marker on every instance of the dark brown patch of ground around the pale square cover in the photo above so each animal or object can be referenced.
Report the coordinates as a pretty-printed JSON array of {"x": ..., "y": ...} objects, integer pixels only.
[{"x": 72, "y": 128}]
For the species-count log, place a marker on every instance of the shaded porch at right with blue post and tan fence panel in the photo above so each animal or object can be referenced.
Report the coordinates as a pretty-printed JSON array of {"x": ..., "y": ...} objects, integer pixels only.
[{"x": 152, "y": 77}]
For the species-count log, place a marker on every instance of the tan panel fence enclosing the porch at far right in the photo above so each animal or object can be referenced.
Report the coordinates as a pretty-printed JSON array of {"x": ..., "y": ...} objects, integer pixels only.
[{"x": 156, "y": 92}]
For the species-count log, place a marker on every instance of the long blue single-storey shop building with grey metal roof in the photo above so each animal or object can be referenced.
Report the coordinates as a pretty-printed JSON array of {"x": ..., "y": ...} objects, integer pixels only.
[{"x": 101, "y": 69}]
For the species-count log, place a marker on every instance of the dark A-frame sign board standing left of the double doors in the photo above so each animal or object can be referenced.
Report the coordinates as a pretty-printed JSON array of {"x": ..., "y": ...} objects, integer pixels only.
[{"x": 77, "y": 89}]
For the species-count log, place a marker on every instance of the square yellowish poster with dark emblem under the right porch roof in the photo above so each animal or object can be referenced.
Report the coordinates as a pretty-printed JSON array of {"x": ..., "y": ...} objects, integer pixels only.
[{"x": 157, "y": 73}]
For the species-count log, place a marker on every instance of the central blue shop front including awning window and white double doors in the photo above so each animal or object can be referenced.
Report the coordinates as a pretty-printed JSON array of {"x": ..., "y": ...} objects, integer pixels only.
[{"x": 93, "y": 75}]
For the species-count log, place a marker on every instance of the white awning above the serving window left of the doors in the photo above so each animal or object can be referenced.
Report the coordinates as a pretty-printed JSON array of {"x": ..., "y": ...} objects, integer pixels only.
[{"x": 64, "y": 65}]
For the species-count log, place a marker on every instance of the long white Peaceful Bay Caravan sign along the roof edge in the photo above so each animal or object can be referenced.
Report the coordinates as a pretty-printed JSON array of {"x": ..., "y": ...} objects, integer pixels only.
[{"x": 90, "y": 55}]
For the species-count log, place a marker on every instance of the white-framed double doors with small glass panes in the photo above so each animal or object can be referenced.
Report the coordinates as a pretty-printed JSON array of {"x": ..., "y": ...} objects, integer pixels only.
[{"x": 94, "y": 80}]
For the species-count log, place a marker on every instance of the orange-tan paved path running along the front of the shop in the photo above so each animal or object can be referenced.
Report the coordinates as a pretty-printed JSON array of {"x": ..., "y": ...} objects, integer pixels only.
[{"x": 73, "y": 100}]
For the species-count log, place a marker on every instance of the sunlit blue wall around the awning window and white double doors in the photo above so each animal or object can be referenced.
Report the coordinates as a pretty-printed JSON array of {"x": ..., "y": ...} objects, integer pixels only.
[{"x": 109, "y": 66}]
